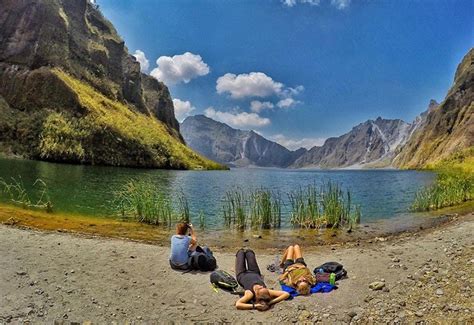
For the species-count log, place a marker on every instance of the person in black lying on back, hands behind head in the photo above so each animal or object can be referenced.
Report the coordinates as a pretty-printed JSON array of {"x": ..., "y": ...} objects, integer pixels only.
[{"x": 256, "y": 295}]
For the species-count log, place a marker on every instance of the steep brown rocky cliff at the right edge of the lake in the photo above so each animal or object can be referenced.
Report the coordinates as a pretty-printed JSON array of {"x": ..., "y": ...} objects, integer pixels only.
[{"x": 446, "y": 128}]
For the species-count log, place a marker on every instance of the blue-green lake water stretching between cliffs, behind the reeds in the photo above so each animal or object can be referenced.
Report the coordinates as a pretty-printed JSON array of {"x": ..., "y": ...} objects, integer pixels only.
[{"x": 88, "y": 190}]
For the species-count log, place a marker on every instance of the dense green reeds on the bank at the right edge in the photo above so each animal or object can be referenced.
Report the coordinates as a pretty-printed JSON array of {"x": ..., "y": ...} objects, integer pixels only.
[{"x": 450, "y": 188}]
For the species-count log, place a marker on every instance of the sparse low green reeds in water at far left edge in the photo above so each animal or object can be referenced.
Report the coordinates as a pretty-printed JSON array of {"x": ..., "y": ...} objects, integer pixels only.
[{"x": 17, "y": 193}]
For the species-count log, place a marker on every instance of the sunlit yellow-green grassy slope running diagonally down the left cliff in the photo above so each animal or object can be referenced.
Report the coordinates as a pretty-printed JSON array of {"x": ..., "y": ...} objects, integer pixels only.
[{"x": 148, "y": 132}]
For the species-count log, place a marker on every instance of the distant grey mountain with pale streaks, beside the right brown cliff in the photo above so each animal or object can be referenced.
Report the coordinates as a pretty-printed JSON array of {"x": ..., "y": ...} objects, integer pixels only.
[{"x": 369, "y": 144}]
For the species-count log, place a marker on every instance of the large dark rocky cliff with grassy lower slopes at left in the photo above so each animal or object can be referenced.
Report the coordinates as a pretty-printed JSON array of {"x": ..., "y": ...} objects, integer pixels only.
[{"x": 63, "y": 57}]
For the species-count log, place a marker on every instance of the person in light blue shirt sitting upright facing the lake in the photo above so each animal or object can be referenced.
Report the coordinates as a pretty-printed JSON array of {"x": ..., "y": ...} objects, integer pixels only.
[{"x": 182, "y": 246}]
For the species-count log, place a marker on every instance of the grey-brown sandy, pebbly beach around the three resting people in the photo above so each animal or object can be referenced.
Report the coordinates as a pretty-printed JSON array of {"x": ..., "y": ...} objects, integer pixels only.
[{"x": 52, "y": 277}]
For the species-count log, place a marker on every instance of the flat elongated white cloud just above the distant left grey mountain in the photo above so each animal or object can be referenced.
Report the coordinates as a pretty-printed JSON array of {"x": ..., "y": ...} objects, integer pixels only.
[{"x": 236, "y": 119}]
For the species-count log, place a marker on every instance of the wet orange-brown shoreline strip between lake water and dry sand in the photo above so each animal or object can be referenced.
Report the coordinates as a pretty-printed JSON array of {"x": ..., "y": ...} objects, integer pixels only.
[{"x": 226, "y": 240}]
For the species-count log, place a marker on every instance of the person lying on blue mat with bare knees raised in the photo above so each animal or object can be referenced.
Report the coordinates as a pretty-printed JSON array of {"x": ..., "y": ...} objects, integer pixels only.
[{"x": 295, "y": 272}]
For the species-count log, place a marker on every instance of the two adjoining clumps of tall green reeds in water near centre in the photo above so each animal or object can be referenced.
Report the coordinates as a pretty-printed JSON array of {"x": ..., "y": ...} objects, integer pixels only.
[{"x": 310, "y": 207}]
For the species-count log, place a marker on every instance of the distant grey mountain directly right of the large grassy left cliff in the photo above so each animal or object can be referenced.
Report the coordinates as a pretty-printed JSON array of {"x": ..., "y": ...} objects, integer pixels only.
[{"x": 220, "y": 142}]
